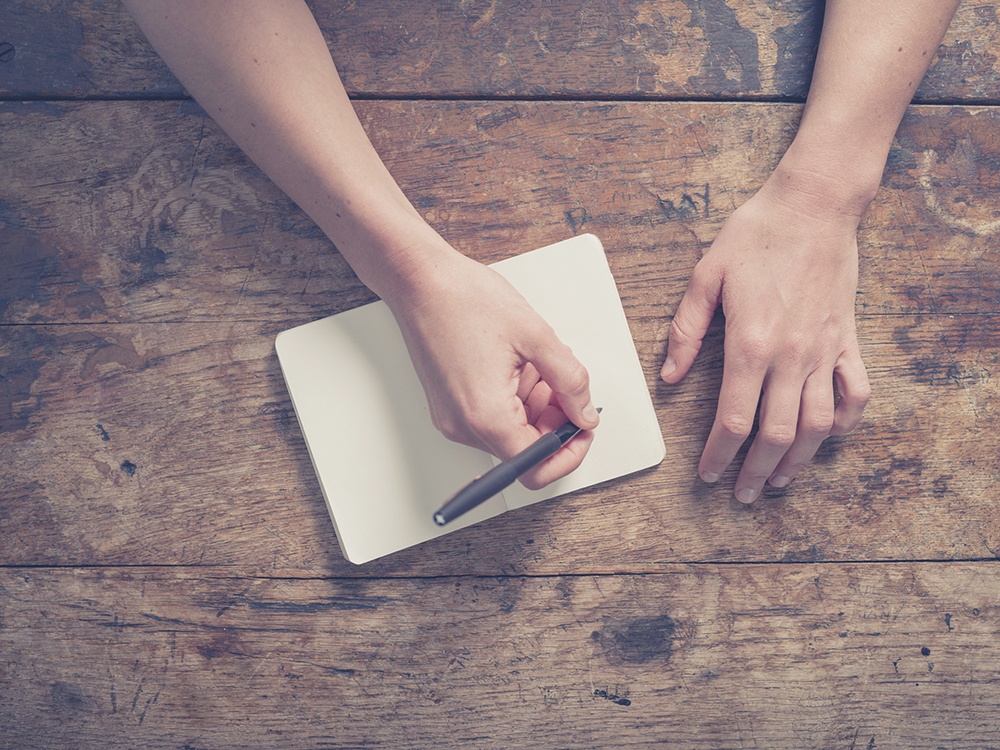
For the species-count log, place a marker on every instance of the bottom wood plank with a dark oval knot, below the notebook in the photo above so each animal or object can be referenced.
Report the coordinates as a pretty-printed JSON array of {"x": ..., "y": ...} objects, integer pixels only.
[{"x": 713, "y": 657}]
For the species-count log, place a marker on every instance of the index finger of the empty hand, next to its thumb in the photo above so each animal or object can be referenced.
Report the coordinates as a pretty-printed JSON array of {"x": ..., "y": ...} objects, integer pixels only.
[{"x": 738, "y": 398}]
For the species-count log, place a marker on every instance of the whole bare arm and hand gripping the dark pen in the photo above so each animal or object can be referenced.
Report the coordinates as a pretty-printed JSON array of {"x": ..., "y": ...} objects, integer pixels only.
[{"x": 494, "y": 373}]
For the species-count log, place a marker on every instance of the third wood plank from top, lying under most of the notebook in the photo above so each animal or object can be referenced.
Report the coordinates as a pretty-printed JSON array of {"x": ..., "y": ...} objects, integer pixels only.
[{"x": 175, "y": 443}]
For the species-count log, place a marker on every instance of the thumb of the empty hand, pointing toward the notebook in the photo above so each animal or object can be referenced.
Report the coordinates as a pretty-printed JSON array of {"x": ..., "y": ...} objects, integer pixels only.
[{"x": 691, "y": 321}]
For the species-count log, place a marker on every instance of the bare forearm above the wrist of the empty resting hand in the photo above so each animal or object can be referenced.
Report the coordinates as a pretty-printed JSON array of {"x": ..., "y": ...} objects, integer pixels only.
[{"x": 872, "y": 56}]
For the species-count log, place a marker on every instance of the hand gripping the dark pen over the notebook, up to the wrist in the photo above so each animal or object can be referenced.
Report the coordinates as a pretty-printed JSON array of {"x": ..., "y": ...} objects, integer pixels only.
[{"x": 495, "y": 375}]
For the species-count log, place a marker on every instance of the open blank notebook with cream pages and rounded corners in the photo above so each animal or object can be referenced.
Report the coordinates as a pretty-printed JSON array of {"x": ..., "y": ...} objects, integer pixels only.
[{"x": 383, "y": 467}]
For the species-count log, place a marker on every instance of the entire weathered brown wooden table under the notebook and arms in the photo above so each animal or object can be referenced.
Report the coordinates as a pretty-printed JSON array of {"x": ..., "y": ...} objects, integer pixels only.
[{"x": 168, "y": 573}]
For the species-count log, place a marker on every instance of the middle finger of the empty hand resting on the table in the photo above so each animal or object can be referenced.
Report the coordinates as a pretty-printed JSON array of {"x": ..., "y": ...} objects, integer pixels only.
[{"x": 779, "y": 416}]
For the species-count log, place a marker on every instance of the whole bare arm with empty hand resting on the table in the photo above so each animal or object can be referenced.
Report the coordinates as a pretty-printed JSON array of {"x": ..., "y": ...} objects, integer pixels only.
[{"x": 785, "y": 265}]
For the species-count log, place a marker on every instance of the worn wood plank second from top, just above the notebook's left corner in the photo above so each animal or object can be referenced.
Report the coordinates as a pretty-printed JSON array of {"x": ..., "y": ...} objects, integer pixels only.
[{"x": 173, "y": 223}]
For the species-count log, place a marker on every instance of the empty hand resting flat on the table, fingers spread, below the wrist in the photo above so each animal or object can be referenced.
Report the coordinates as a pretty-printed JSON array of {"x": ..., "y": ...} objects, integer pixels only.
[{"x": 785, "y": 269}]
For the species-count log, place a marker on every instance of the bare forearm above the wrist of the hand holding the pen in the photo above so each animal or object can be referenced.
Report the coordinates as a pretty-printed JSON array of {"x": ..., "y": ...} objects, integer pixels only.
[{"x": 262, "y": 70}]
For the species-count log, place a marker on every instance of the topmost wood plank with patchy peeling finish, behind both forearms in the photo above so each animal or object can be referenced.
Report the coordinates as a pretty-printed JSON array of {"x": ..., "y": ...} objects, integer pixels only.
[{"x": 472, "y": 48}]
